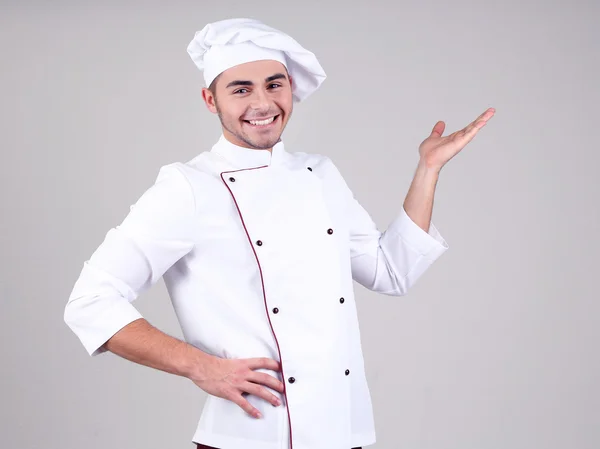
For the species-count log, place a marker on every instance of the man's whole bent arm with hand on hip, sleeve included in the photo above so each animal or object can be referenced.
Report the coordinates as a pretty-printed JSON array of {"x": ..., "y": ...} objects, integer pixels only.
[{"x": 159, "y": 230}]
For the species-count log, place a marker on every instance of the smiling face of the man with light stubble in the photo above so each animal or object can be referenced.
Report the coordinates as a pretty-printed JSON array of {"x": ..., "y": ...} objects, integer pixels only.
[{"x": 254, "y": 103}]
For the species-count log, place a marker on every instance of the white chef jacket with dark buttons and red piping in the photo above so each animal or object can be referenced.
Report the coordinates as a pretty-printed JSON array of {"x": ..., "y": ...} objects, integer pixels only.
[{"x": 258, "y": 251}]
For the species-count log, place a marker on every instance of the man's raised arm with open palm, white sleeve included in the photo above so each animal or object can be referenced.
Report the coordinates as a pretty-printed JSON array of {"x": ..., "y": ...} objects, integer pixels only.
[{"x": 391, "y": 262}]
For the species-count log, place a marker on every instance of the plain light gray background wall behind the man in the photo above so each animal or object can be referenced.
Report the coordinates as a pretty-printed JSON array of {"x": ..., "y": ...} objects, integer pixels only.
[{"x": 495, "y": 347}]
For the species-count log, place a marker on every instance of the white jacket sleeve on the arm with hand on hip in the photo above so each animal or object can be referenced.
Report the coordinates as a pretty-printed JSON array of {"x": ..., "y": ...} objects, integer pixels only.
[{"x": 157, "y": 231}]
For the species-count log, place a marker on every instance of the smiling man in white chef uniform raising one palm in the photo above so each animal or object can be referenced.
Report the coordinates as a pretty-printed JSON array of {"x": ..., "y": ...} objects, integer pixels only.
[{"x": 258, "y": 248}]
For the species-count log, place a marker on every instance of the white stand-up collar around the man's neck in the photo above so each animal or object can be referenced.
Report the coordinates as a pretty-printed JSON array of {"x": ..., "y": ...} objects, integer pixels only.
[{"x": 242, "y": 157}]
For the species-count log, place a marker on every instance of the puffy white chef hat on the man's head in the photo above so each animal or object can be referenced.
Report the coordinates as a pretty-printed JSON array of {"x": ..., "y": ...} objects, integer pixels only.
[{"x": 227, "y": 43}]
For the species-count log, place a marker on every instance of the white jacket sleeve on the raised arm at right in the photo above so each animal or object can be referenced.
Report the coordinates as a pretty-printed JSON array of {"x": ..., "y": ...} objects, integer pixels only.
[{"x": 388, "y": 262}]
